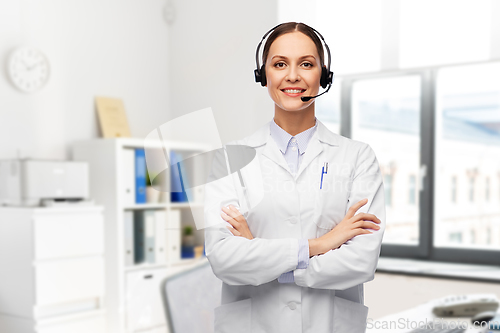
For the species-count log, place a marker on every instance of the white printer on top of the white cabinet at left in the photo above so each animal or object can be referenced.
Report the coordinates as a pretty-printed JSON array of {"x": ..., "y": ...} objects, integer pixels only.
[{"x": 26, "y": 182}]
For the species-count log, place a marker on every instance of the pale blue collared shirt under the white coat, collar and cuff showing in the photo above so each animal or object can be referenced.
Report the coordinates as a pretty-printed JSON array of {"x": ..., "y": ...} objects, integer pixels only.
[{"x": 293, "y": 148}]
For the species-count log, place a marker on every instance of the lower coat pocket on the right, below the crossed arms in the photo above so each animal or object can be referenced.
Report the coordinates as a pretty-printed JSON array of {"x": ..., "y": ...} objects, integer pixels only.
[{"x": 349, "y": 316}]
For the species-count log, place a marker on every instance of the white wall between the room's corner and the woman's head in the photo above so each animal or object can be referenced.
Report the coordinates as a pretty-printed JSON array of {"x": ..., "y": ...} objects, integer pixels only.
[{"x": 212, "y": 58}]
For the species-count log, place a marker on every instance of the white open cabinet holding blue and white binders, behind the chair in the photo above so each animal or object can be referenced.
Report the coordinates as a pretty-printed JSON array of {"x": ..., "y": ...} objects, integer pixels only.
[{"x": 133, "y": 299}]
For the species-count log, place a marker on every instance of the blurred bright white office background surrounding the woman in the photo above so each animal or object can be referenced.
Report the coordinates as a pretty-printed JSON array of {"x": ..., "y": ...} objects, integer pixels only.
[{"x": 99, "y": 99}]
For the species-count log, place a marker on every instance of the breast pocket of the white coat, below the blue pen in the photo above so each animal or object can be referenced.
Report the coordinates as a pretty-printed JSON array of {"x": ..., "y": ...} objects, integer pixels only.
[{"x": 331, "y": 201}]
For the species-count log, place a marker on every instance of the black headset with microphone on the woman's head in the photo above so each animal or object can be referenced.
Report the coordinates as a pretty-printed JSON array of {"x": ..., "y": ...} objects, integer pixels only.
[{"x": 327, "y": 75}]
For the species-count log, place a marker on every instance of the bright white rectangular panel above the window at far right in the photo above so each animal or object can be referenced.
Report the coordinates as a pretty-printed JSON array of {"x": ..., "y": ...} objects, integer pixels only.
[{"x": 454, "y": 31}]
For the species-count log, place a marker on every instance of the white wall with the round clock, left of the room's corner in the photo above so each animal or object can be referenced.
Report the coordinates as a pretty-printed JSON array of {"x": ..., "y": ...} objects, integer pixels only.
[{"x": 108, "y": 48}]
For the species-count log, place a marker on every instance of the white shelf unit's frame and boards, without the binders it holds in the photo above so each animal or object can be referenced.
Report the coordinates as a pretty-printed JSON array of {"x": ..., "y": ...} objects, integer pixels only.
[{"x": 130, "y": 290}]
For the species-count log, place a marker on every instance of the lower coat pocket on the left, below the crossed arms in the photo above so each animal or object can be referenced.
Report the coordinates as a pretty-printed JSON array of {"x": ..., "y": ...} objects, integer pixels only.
[{"x": 234, "y": 317}]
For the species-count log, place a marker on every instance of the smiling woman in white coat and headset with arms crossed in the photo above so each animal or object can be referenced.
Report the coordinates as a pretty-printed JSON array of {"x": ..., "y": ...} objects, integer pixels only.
[{"x": 296, "y": 232}]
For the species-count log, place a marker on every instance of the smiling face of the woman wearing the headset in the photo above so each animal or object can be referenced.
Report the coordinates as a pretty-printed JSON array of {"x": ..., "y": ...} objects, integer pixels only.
[{"x": 293, "y": 70}]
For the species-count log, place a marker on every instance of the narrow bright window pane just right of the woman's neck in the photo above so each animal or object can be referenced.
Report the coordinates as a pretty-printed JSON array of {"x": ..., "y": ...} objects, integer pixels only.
[{"x": 327, "y": 107}]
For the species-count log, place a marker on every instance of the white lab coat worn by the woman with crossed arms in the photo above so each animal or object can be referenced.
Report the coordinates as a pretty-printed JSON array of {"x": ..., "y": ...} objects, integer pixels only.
[{"x": 280, "y": 209}]
